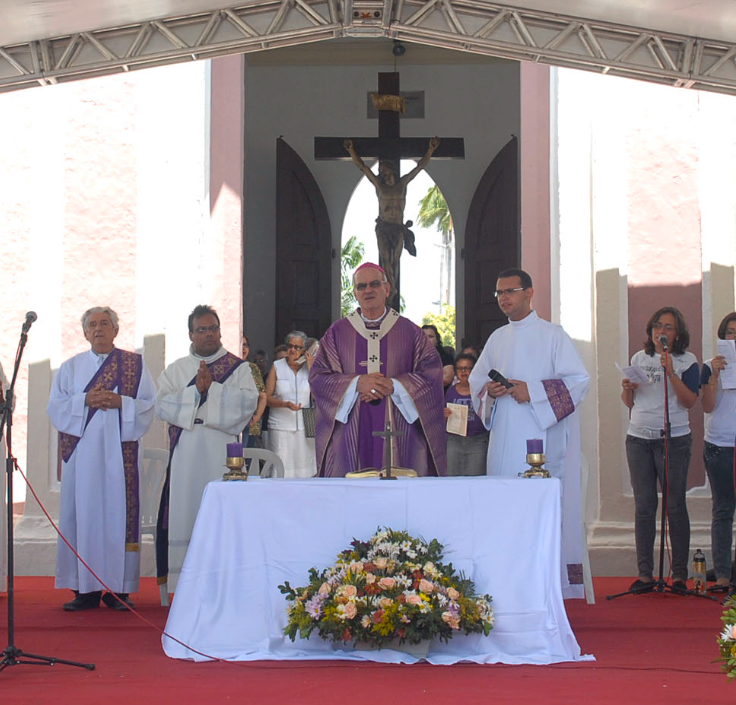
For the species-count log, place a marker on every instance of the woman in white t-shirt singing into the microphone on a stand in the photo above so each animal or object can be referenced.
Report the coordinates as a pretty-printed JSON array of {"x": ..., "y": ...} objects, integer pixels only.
[{"x": 645, "y": 441}]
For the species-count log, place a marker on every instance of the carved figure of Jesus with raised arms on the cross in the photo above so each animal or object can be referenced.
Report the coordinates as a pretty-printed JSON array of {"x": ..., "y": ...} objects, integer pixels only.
[{"x": 392, "y": 234}]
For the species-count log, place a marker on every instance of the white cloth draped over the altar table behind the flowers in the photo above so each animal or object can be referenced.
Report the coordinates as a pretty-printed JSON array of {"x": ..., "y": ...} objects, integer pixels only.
[{"x": 249, "y": 537}]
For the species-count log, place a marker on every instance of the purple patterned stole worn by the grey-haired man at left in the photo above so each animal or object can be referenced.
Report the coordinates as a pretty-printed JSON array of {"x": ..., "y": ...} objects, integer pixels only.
[{"x": 121, "y": 370}]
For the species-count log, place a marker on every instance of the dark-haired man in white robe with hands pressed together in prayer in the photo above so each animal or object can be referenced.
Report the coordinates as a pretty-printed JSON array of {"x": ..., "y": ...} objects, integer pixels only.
[{"x": 206, "y": 398}]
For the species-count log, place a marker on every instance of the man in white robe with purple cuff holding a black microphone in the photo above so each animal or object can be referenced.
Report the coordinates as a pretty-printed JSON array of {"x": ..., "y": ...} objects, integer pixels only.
[{"x": 547, "y": 382}]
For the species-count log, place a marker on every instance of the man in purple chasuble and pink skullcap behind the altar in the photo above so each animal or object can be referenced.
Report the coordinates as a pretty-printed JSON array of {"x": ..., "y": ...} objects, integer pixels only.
[{"x": 371, "y": 364}]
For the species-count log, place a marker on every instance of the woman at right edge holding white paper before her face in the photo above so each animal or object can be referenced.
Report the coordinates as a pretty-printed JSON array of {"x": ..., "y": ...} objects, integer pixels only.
[{"x": 719, "y": 404}]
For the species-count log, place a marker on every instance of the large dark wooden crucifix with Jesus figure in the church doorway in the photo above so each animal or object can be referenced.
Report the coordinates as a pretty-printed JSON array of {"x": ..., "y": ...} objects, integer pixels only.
[{"x": 392, "y": 233}]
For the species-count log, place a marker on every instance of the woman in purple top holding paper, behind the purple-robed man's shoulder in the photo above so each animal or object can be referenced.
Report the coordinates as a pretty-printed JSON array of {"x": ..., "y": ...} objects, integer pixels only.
[{"x": 466, "y": 455}]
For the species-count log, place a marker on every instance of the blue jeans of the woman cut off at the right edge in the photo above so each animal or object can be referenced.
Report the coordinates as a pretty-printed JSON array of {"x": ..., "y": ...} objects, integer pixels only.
[{"x": 719, "y": 466}]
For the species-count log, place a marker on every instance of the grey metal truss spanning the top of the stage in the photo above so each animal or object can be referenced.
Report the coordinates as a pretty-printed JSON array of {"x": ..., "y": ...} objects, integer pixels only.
[{"x": 474, "y": 26}]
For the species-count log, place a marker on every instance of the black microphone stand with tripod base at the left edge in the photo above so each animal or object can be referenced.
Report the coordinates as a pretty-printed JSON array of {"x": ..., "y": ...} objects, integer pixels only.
[{"x": 12, "y": 655}]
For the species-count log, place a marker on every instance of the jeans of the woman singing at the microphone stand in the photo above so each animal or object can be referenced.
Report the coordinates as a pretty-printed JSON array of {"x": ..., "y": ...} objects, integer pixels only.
[{"x": 646, "y": 466}]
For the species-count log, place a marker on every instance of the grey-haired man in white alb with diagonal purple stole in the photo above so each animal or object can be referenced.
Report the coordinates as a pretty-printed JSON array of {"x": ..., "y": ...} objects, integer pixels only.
[{"x": 101, "y": 403}]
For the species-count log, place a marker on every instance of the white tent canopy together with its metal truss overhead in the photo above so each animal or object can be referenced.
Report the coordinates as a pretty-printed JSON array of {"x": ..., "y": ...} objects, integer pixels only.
[{"x": 668, "y": 41}]
